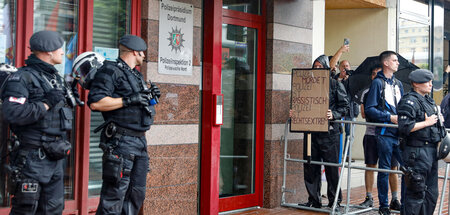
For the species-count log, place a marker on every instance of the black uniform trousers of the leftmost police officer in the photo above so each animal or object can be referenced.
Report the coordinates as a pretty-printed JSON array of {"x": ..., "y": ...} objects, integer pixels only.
[{"x": 49, "y": 174}]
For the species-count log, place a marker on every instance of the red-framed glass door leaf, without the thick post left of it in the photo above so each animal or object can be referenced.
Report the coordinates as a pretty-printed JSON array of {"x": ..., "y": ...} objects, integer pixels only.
[{"x": 241, "y": 135}]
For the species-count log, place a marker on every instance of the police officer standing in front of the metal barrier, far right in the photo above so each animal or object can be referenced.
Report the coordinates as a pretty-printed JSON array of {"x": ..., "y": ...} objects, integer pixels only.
[{"x": 417, "y": 124}]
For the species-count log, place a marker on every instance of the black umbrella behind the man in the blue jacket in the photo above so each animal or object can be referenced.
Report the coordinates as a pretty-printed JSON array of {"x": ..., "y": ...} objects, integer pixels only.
[{"x": 360, "y": 79}]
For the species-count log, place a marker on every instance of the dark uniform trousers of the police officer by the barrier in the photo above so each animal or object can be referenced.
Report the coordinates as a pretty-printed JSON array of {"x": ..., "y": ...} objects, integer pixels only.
[{"x": 424, "y": 163}]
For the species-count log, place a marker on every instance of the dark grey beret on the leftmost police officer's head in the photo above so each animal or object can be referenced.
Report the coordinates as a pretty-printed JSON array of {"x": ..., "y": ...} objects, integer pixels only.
[{"x": 46, "y": 41}]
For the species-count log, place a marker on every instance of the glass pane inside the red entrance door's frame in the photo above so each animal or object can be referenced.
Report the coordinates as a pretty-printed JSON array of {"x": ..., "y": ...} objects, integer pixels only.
[{"x": 237, "y": 134}]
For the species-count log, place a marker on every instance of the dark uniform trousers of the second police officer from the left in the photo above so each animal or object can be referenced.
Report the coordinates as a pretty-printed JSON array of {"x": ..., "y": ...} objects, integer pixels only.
[{"x": 127, "y": 196}]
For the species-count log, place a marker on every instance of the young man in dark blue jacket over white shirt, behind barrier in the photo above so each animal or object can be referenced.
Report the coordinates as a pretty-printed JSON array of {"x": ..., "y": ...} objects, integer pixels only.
[{"x": 381, "y": 106}]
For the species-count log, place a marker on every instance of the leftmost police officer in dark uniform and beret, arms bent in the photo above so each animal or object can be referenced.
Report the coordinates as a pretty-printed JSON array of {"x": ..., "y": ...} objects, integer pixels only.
[{"x": 34, "y": 104}]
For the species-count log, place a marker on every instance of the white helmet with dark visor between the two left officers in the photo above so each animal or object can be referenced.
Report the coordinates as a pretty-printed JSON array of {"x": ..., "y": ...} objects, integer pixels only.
[{"x": 85, "y": 66}]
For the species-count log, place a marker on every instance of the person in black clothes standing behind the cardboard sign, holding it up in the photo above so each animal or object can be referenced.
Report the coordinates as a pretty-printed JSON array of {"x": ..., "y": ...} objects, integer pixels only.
[{"x": 325, "y": 145}]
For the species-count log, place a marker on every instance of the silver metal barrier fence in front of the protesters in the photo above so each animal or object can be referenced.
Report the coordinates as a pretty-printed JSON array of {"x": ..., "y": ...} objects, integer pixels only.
[{"x": 342, "y": 164}]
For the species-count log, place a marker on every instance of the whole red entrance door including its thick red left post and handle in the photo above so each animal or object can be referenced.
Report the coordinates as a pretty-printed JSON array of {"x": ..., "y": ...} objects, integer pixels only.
[{"x": 233, "y": 69}]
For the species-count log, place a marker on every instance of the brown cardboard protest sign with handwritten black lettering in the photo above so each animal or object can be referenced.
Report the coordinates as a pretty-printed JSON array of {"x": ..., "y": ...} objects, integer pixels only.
[{"x": 310, "y": 99}]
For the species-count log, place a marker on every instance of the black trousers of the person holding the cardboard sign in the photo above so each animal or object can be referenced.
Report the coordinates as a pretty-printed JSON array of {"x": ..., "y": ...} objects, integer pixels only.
[{"x": 324, "y": 147}]
